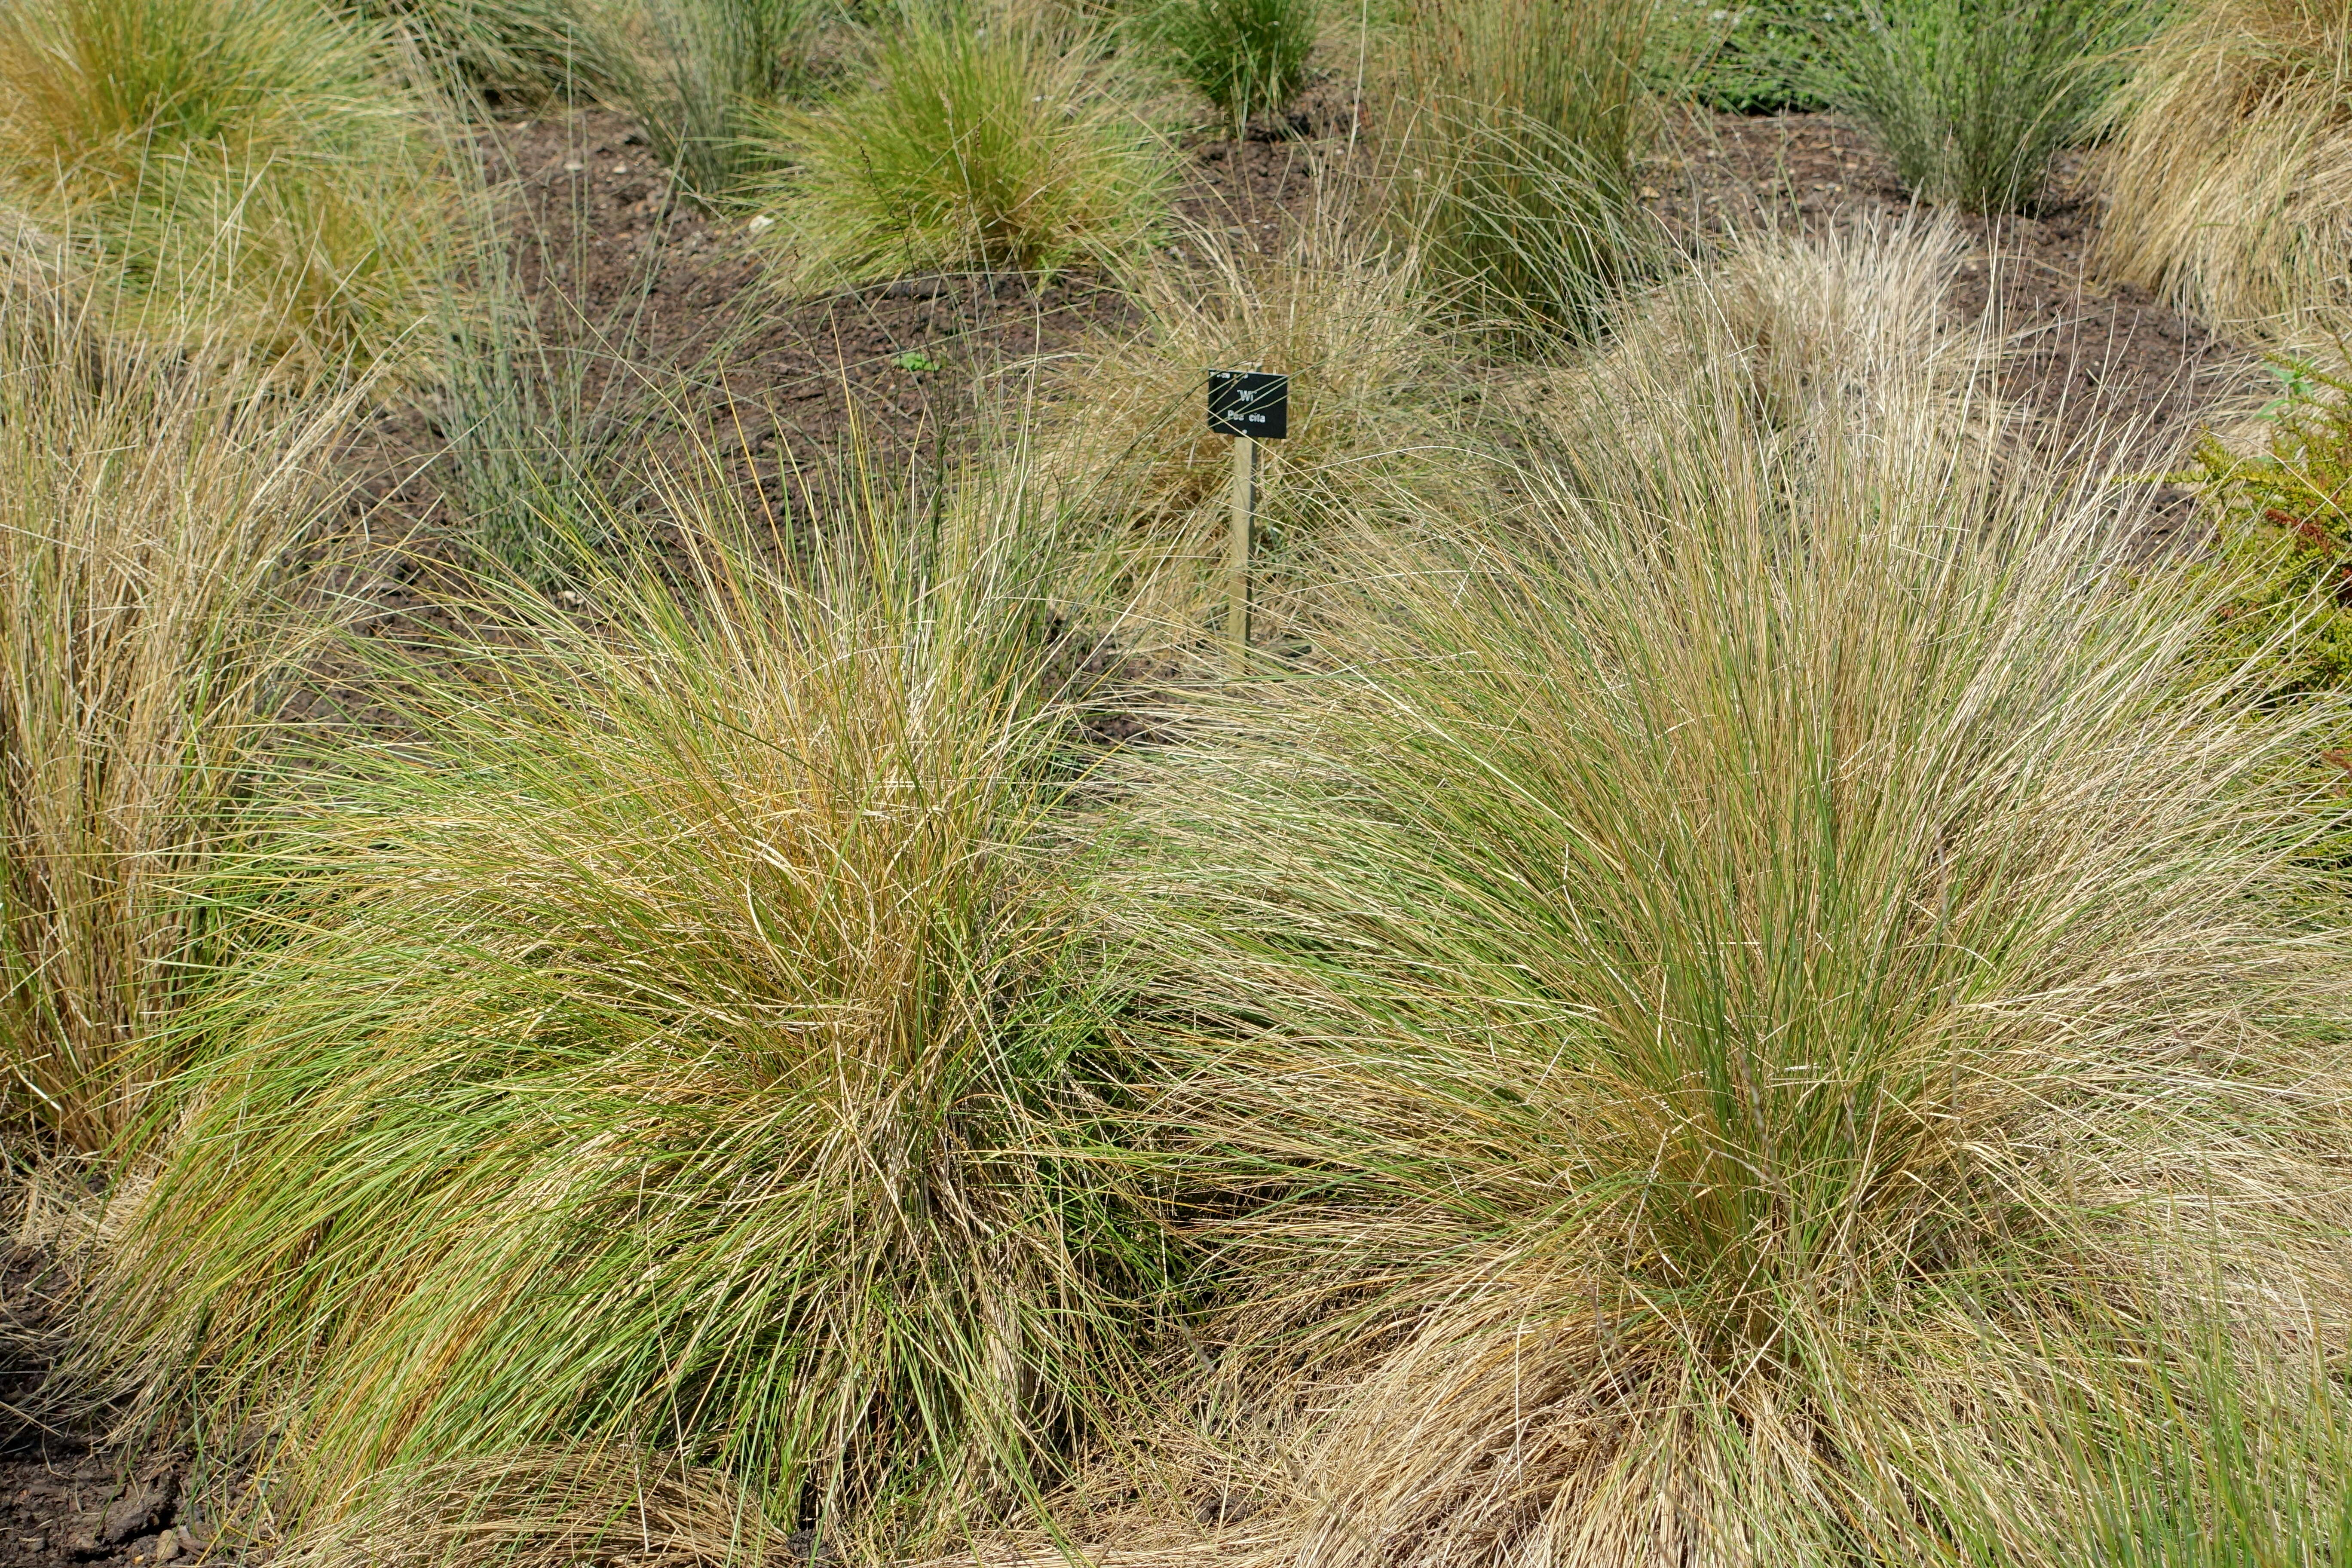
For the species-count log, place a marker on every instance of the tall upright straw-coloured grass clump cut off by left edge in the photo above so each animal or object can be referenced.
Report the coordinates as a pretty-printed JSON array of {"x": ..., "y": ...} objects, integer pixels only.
[{"x": 147, "y": 530}]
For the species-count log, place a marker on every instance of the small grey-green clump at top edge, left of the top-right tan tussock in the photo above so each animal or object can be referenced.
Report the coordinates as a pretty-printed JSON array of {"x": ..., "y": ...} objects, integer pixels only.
[{"x": 1975, "y": 98}]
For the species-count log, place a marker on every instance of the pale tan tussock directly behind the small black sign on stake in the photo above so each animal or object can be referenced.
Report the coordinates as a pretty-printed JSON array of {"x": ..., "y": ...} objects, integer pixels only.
[{"x": 1370, "y": 431}]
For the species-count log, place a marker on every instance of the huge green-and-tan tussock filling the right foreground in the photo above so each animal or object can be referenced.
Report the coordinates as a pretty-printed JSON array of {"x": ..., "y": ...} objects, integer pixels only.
[{"x": 1730, "y": 1005}]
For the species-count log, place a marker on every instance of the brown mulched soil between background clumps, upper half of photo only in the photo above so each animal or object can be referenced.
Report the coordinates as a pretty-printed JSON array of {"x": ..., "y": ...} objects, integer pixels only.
[{"x": 791, "y": 396}]
